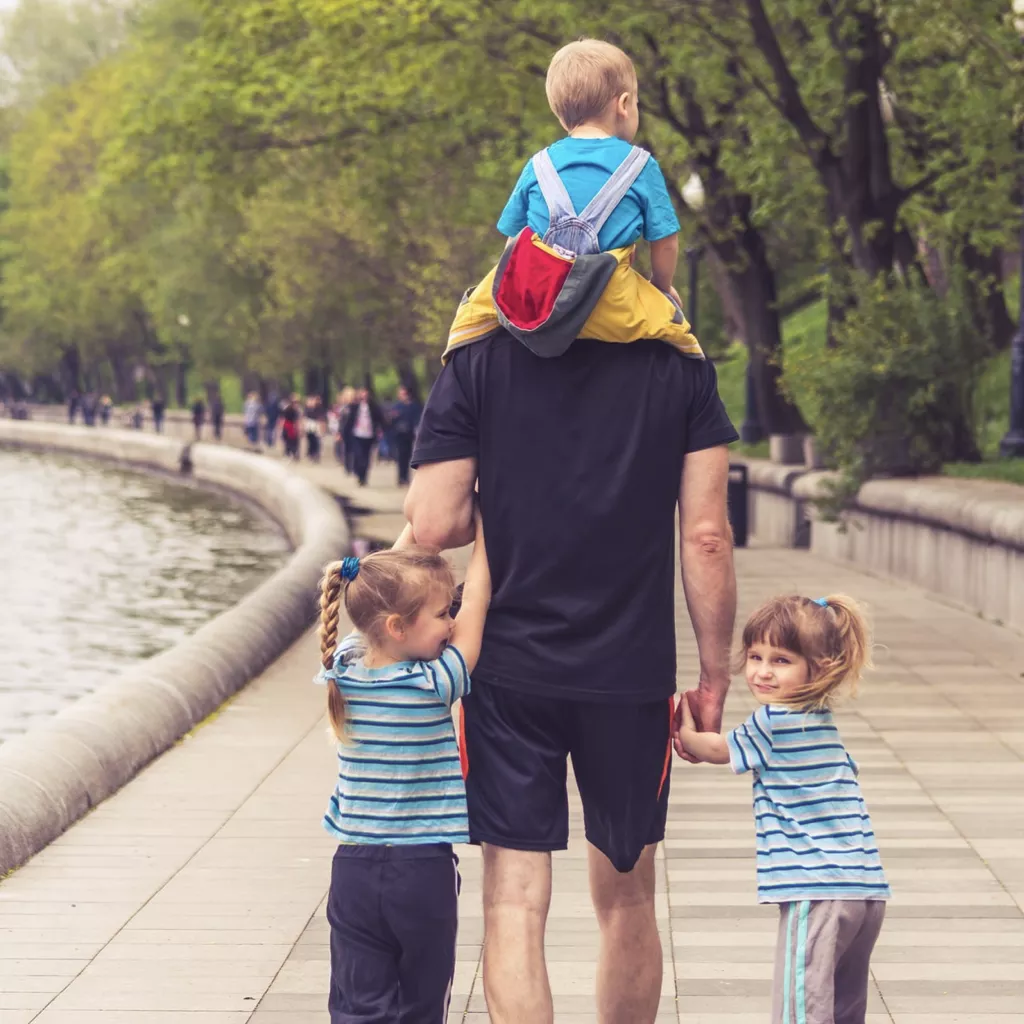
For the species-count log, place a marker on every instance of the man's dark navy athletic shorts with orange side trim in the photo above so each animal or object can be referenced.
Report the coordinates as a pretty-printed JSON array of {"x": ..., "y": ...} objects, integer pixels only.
[{"x": 515, "y": 749}]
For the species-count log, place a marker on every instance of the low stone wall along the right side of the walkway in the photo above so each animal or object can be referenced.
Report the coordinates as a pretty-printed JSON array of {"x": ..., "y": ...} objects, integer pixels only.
[{"x": 963, "y": 539}]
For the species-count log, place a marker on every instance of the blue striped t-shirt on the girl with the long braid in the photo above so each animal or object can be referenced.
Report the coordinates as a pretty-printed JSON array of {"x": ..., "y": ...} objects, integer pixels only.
[{"x": 400, "y": 779}]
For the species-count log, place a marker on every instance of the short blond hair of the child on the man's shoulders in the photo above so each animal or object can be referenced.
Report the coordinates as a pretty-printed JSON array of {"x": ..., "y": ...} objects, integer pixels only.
[{"x": 584, "y": 77}]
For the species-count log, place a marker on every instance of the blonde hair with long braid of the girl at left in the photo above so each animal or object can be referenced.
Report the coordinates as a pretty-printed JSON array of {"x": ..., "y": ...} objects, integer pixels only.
[{"x": 390, "y": 583}]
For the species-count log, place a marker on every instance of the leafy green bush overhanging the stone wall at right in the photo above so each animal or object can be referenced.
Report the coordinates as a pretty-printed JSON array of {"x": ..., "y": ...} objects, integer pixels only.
[{"x": 892, "y": 396}]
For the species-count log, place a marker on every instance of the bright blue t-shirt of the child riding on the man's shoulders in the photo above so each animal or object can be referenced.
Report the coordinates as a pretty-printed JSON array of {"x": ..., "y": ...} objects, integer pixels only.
[{"x": 585, "y": 165}]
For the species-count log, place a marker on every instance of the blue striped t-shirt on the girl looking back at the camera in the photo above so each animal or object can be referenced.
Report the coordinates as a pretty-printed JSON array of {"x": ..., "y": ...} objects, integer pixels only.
[{"x": 815, "y": 839}]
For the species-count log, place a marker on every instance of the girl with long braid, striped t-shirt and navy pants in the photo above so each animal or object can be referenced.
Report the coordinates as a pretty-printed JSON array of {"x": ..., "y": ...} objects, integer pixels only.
[{"x": 400, "y": 802}]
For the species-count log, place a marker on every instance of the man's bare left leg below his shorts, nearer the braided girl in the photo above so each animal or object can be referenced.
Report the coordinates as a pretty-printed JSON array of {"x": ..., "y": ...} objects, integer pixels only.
[{"x": 517, "y": 898}]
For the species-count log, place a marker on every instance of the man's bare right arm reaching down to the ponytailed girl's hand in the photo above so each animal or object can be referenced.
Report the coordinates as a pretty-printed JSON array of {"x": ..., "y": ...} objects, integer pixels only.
[{"x": 709, "y": 576}]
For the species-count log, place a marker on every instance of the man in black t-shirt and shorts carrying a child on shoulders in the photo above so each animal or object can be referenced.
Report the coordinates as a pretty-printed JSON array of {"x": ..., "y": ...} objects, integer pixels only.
[{"x": 582, "y": 459}]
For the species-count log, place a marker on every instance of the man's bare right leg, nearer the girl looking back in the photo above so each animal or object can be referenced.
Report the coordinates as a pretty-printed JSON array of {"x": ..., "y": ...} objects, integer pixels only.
[{"x": 629, "y": 969}]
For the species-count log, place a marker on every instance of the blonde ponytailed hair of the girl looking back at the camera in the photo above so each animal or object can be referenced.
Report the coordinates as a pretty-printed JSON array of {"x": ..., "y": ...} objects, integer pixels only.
[{"x": 834, "y": 638}]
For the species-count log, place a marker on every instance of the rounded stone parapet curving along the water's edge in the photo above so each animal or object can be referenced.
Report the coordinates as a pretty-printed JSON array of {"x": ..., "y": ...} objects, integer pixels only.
[{"x": 53, "y": 776}]
